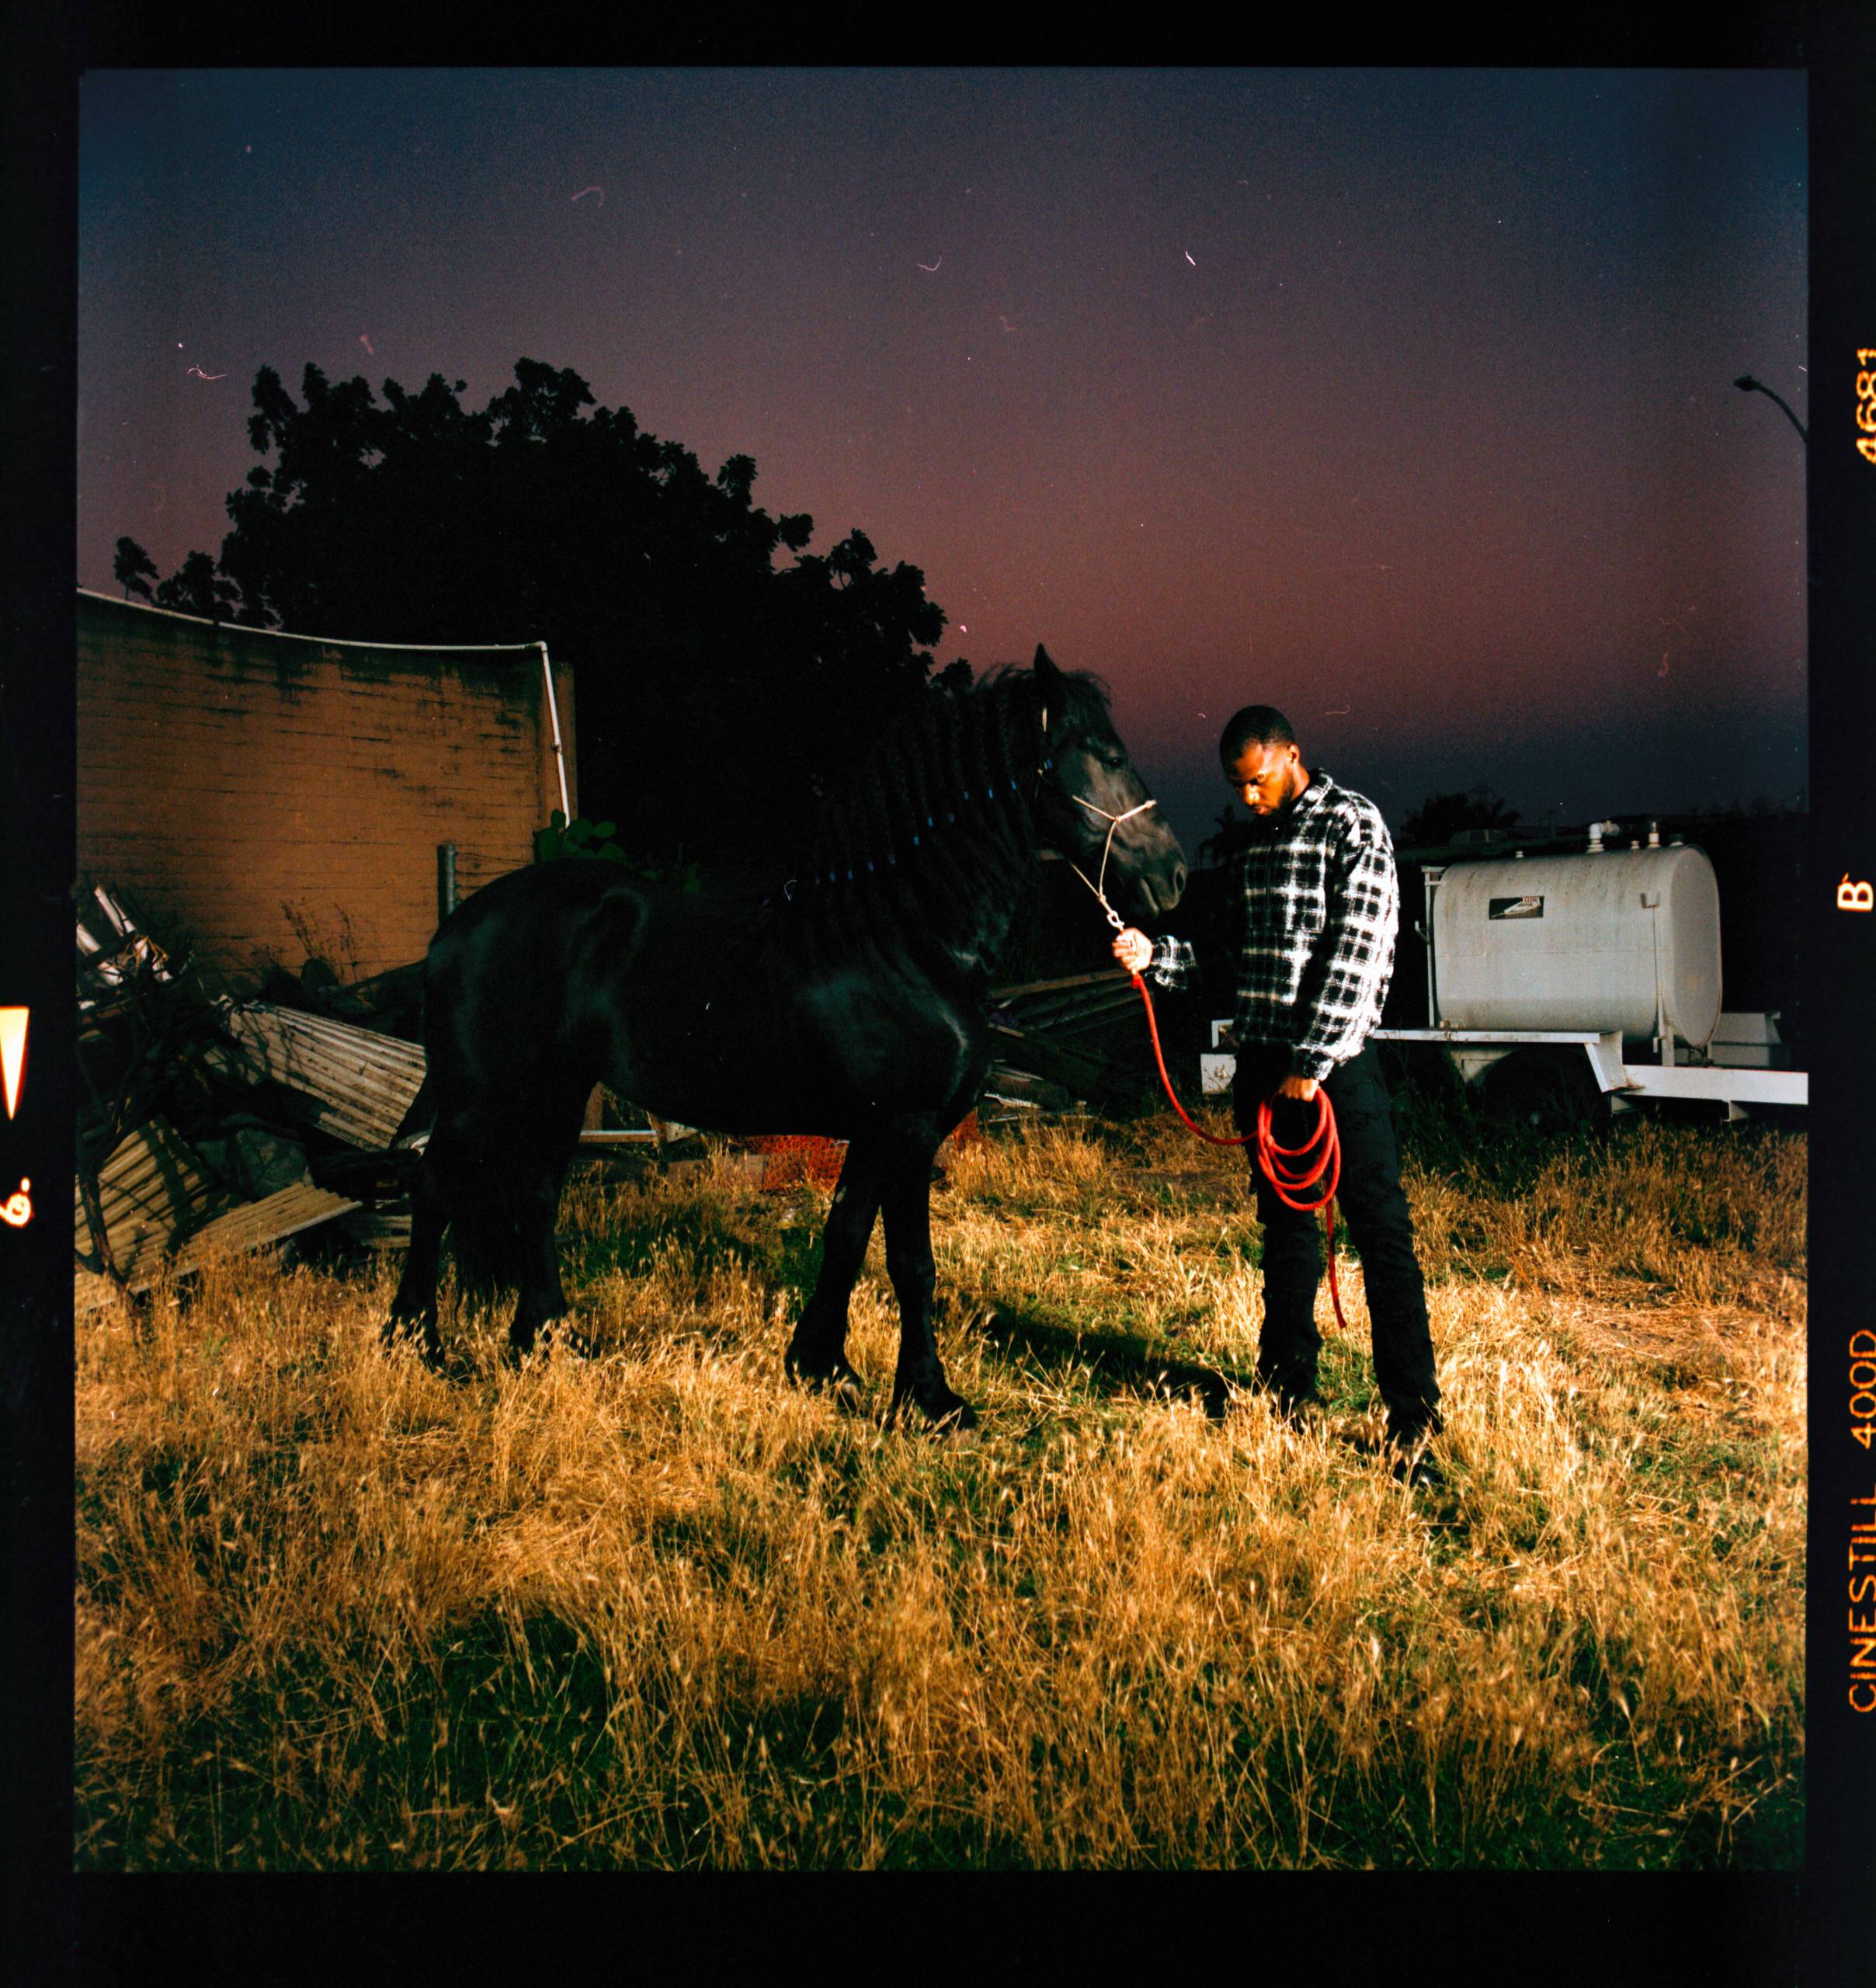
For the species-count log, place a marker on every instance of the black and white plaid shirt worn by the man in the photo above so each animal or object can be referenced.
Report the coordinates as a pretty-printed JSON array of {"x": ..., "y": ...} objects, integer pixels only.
[{"x": 1323, "y": 906}]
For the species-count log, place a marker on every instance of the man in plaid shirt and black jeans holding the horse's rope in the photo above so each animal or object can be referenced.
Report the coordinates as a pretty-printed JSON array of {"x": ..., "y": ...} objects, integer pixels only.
[{"x": 1321, "y": 908}]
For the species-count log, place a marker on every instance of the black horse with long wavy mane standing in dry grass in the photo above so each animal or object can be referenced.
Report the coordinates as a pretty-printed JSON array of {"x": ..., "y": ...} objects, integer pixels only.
[{"x": 854, "y": 1003}]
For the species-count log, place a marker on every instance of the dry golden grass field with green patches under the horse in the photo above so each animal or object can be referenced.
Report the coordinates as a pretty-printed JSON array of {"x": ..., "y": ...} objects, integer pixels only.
[{"x": 661, "y": 1609}]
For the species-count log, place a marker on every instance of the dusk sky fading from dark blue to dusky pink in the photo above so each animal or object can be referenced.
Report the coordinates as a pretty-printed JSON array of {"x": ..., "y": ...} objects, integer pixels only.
[{"x": 1398, "y": 399}]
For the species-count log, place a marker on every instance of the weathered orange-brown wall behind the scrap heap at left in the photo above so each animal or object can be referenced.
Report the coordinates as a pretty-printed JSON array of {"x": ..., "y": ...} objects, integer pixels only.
[{"x": 261, "y": 792}]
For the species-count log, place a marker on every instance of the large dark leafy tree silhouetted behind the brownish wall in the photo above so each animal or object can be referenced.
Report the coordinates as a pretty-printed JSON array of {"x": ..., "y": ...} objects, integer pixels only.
[{"x": 720, "y": 667}]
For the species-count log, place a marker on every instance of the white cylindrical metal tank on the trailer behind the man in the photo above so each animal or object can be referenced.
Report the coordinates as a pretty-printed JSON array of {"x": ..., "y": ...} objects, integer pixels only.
[{"x": 1591, "y": 941}]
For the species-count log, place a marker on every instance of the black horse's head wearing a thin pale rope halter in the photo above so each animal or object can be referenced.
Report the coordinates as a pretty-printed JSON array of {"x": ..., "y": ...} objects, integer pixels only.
[{"x": 1092, "y": 806}]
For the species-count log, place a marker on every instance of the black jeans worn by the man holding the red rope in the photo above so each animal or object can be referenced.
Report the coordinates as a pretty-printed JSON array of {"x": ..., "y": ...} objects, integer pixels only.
[{"x": 1374, "y": 1210}]
